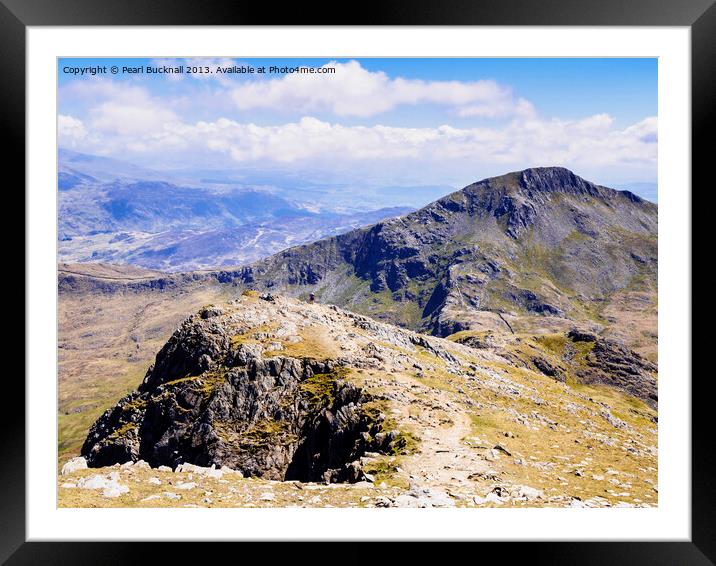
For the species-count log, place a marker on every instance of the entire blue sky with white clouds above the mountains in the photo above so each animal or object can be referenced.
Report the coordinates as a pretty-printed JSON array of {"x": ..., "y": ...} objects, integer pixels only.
[{"x": 448, "y": 121}]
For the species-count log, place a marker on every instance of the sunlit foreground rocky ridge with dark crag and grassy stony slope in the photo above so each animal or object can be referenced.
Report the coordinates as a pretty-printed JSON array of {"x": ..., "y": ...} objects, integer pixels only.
[{"x": 287, "y": 392}]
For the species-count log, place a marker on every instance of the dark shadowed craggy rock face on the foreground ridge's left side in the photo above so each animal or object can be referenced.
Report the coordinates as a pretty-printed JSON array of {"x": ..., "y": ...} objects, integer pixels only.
[{"x": 213, "y": 400}]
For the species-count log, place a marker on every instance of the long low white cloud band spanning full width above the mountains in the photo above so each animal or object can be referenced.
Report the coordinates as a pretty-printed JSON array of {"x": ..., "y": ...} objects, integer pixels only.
[{"x": 590, "y": 145}]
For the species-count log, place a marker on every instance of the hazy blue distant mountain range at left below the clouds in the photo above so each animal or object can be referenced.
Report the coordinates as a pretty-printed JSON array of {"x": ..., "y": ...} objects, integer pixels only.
[{"x": 115, "y": 212}]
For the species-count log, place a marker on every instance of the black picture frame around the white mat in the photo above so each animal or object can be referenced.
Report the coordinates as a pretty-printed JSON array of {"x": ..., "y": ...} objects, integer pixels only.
[{"x": 698, "y": 15}]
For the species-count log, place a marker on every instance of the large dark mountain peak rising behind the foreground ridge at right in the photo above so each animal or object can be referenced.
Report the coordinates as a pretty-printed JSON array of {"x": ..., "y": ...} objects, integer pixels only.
[{"x": 539, "y": 242}]
